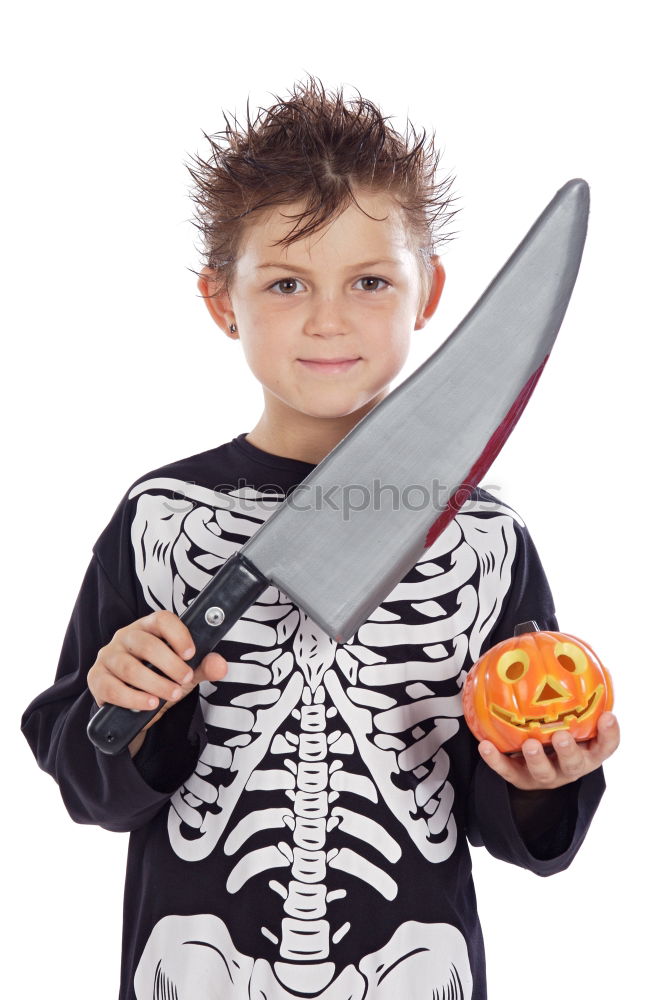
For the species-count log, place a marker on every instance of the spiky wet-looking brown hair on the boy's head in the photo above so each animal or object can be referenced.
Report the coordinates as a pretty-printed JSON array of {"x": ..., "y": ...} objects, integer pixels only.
[{"x": 317, "y": 148}]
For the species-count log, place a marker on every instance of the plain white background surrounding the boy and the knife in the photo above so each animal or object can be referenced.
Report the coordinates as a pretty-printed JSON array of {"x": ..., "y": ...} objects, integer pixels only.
[{"x": 112, "y": 367}]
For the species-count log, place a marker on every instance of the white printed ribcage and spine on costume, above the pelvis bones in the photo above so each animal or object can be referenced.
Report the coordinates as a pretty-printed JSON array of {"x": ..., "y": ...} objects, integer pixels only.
[{"x": 334, "y": 732}]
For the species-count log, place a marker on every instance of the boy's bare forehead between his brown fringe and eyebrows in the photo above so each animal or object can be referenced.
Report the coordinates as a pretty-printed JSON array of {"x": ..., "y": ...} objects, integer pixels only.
[{"x": 377, "y": 227}]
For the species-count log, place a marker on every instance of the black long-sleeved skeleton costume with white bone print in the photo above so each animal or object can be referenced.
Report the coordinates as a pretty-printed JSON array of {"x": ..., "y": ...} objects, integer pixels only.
[{"x": 300, "y": 829}]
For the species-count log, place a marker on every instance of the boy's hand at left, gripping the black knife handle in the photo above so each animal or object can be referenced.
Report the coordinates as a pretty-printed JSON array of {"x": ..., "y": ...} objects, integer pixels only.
[{"x": 120, "y": 676}]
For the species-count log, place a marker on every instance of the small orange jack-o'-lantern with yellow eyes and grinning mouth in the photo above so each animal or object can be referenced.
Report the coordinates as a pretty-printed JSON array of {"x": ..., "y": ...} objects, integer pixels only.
[{"x": 534, "y": 685}]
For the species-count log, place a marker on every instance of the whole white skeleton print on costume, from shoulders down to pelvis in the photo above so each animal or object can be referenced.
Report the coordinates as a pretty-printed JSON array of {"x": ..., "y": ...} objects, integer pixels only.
[{"x": 309, "y": 742}]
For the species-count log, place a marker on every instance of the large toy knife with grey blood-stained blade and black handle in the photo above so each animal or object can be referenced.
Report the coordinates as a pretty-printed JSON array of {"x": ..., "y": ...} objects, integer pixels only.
[{"x": 436, "y": 434}]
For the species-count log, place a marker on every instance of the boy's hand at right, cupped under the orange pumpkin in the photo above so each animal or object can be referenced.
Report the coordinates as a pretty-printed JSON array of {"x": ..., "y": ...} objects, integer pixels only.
[{"x": 537, "y": 770}]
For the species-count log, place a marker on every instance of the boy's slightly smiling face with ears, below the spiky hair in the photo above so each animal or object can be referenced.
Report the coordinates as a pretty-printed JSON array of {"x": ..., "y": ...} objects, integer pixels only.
[{"x": 352, "y": 290}]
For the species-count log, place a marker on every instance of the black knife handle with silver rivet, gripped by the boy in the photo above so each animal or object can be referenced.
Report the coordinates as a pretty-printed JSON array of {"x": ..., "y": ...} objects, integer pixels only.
[{"x": 233, "y": 589}]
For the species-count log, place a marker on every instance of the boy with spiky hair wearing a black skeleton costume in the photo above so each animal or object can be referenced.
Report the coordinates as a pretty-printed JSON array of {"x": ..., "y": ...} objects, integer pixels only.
[{"x": 299, "y": 808}]
